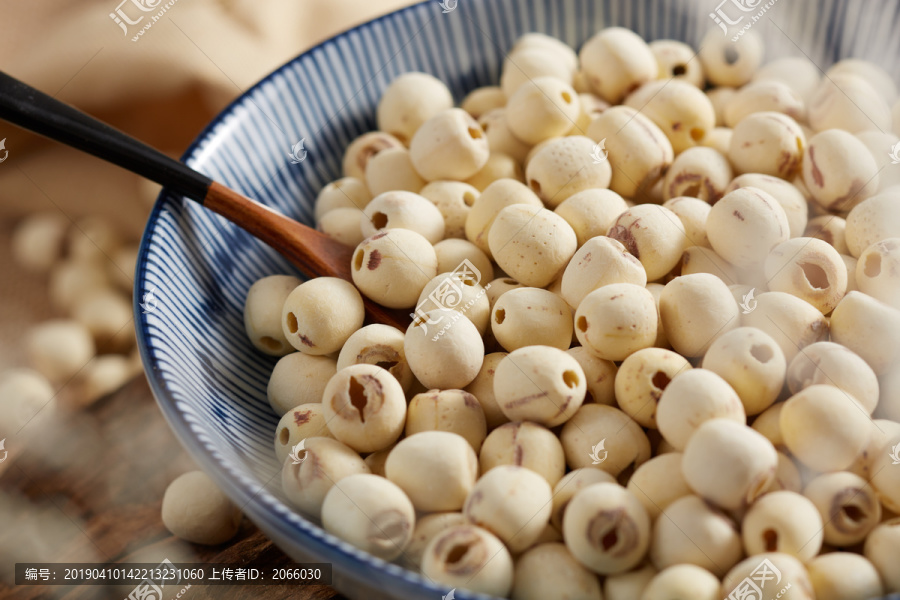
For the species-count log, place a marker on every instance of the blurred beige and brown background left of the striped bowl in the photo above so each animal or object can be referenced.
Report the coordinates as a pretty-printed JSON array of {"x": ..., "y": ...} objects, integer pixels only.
[{"x": 82, "y": 473}]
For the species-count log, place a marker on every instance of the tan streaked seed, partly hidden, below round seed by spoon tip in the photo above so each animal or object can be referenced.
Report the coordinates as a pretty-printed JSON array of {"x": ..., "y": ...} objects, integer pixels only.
[{"x": 454, "y": 411}]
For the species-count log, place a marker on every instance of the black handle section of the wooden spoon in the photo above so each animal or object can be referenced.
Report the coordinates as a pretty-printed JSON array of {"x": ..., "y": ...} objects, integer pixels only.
[{"x": 26, "y": 107}]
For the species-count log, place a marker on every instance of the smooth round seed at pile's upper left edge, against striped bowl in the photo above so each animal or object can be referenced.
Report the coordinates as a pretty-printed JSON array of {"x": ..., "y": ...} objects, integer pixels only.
[{"x": 410, "y": 100}]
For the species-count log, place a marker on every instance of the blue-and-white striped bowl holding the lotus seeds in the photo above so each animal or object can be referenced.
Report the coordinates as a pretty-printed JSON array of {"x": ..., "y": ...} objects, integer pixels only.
[{"x": 209, "y": 381}]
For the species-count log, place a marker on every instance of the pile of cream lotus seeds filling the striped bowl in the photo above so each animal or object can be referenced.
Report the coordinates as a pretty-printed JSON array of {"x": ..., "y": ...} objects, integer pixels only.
[{"x": 655, "y": 351}]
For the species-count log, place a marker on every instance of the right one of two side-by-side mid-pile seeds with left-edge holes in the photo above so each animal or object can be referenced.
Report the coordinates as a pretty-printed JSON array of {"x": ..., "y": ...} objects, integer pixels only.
[{"x": 616, "y": 320}]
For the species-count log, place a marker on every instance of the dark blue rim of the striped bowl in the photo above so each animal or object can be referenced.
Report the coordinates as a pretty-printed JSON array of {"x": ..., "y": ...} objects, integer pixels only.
[{"x": 399, "y": 580}]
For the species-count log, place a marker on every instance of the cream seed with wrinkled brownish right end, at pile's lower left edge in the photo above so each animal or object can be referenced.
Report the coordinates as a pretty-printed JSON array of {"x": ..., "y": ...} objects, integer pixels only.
[{"x": 370, "y": 512}]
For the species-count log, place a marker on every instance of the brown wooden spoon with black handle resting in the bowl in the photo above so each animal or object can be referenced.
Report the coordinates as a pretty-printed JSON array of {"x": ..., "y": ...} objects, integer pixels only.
[{"x": 312, "y": 252}]
